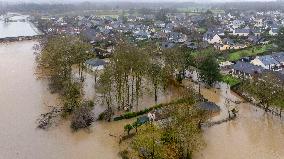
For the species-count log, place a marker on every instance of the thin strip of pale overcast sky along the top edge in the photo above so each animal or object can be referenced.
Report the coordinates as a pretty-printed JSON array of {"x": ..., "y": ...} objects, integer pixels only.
[{"x": 66, "y": 1}]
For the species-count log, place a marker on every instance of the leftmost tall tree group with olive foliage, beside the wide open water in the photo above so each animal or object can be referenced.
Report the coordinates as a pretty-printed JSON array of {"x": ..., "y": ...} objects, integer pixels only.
[{"x": 55, "y": 61}]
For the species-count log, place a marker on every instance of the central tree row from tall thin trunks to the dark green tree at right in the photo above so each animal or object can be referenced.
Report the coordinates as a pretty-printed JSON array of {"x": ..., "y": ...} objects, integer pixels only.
[{"x": 133, "y": 70}]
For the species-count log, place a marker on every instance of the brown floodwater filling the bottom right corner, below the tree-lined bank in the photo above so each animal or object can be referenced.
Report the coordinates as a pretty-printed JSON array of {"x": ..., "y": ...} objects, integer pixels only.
[{"x": 253, "y": 135}]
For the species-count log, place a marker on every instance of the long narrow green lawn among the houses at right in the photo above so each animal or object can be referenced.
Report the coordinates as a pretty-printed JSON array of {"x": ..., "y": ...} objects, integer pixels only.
[{"x": 252, "y": 51}]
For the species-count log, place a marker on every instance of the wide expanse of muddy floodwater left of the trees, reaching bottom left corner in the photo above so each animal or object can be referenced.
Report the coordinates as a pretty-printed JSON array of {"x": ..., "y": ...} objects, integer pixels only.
[{"x": 23, "y": 98}]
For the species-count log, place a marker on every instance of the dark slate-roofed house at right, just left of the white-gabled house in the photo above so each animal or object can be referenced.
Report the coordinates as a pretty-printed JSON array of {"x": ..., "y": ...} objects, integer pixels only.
[{"x": 246, "y": 70}]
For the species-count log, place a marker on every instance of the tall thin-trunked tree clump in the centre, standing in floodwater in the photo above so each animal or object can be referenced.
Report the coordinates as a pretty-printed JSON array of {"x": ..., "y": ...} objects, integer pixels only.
[{"x": 125, "y": 77}]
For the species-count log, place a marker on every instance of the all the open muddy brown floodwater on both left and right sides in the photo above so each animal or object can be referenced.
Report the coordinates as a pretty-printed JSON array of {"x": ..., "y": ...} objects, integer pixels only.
[{"x": 253, "y": 135}]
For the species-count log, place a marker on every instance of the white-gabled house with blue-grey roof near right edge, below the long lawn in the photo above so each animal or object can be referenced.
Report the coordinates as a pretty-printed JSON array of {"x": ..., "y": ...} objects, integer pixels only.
[{"x": 266, "y": 62}]
